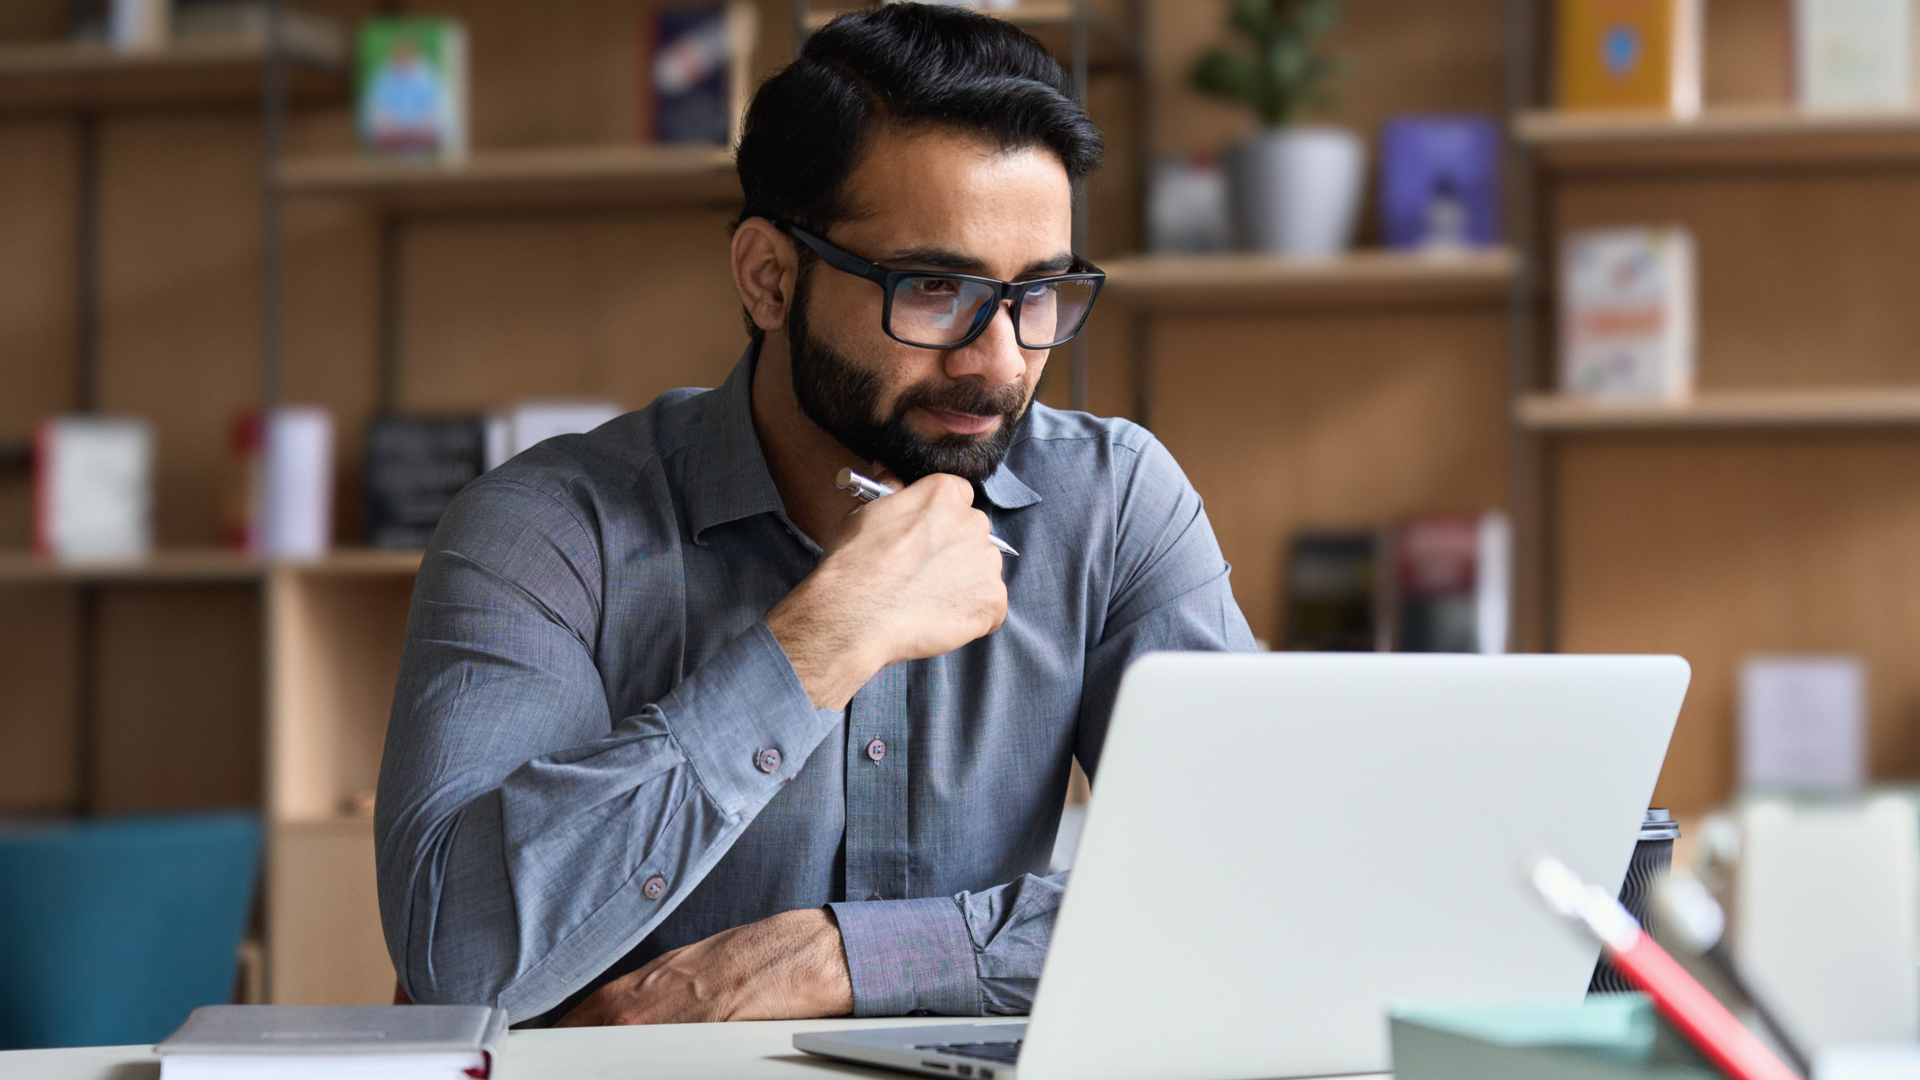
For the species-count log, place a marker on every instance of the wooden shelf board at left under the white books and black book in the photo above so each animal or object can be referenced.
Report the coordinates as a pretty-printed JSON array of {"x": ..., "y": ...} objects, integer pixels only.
[{"x": 199, "y": 566}]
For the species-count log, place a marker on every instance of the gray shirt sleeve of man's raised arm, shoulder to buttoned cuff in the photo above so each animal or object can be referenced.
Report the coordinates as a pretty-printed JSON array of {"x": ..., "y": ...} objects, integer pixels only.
[{"x": 523, "y": 833}]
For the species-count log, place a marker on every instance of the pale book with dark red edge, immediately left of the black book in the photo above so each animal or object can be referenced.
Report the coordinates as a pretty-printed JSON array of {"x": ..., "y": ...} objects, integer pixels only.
[{"x": 283, "y": 504}]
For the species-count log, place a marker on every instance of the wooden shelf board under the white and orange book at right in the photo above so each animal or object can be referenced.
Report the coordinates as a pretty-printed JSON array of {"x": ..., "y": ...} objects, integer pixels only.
[{"x": 1727, "y": 410}]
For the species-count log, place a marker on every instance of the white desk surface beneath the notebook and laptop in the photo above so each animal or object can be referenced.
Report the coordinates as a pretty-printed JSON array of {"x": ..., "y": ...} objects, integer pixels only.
[{"x": 671, "y": 1052}]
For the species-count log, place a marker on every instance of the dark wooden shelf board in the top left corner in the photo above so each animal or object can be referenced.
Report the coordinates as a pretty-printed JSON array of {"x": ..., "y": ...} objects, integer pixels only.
[{"x": 62, "y": 76}]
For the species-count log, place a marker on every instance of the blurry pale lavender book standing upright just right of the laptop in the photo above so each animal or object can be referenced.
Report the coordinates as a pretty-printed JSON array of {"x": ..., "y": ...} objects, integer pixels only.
[{"x": 1804, "y": 722}]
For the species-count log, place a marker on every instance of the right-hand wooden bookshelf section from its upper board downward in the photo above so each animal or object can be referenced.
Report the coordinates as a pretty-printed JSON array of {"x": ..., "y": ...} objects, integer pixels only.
[{"x": 1771, "y": 510}]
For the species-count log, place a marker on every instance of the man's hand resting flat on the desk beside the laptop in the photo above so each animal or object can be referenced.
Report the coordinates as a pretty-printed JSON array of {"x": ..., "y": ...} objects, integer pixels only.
[{"x": 788, "y": 968}]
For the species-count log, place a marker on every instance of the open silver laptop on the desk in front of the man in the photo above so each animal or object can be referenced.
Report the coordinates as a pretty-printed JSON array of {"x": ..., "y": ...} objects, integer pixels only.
[{"x": 1282, "y": 847}]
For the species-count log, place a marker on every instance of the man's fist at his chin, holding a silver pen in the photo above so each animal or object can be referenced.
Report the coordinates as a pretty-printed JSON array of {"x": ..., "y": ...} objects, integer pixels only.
[{"x": 911, "y": 577}]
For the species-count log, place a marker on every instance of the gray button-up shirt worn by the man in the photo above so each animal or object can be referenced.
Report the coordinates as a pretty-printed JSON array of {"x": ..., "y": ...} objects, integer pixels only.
[{"x": 600, "y": 752}]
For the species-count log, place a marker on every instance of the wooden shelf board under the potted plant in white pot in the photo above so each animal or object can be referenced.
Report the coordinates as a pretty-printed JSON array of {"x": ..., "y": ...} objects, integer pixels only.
[{"x": 1243, "y": 282}]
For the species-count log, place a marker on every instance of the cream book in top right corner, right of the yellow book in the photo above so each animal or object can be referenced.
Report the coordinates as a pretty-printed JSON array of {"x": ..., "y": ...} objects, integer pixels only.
[{"x": 1852, "y": 55}]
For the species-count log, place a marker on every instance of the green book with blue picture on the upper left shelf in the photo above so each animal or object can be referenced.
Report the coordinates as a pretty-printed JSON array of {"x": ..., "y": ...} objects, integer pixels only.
[{"x": 412, "y": 89}]
